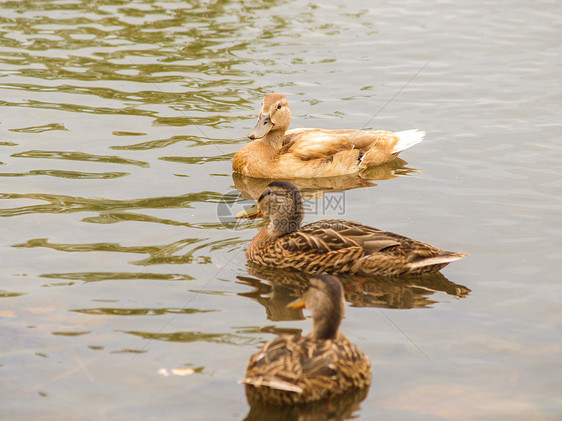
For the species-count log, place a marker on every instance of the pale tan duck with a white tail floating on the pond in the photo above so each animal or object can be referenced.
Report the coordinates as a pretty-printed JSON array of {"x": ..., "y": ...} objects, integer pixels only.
[{"x": 277, "y": 152}]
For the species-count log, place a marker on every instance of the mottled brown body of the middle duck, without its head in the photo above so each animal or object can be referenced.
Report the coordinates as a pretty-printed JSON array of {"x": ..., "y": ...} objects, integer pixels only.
[{"x": 338, "y": 246}]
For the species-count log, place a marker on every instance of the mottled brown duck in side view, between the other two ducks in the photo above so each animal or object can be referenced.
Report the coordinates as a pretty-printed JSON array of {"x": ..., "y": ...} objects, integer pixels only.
[{"x": 333, "y": 245}]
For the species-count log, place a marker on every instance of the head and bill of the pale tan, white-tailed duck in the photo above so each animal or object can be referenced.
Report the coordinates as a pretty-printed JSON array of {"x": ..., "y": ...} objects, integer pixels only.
[{"x": 275, "y": 117}]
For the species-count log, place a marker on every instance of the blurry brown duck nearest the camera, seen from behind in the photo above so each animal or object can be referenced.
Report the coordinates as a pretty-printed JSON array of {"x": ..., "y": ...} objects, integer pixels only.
[{"x": 295, "y": 369}]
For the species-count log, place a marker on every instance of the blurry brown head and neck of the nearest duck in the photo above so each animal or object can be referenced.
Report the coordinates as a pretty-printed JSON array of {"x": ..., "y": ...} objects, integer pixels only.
[{"x": 325, "y": 300}]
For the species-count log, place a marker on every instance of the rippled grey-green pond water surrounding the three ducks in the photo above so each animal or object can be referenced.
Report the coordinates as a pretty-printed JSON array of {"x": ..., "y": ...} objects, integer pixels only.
[{"x": 121, "y": 260}]
